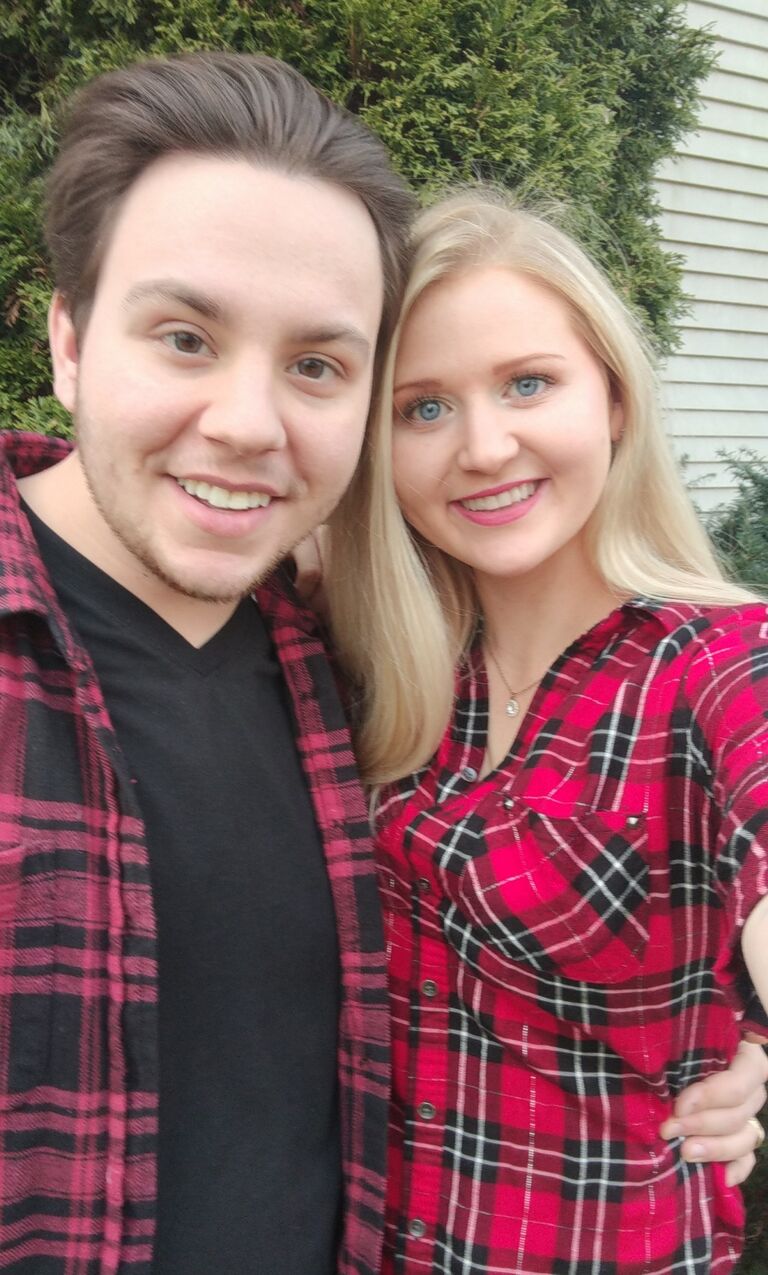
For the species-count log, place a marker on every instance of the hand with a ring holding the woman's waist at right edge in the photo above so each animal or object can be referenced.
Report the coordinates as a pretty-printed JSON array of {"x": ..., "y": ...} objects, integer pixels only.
[{"x": 714, "y": 1116}]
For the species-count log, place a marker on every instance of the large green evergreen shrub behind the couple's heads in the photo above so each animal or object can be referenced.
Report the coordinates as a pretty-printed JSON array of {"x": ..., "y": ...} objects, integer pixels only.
[{"x": 575, "y": 99}]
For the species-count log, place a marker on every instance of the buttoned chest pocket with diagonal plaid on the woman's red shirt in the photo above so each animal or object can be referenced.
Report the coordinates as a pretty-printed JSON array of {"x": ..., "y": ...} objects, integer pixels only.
[{"x": 563, "y": 896}]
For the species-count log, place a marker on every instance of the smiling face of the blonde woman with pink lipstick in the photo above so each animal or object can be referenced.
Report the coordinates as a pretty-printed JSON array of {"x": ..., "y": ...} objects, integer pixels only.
[{"x": 503, "y": 424}]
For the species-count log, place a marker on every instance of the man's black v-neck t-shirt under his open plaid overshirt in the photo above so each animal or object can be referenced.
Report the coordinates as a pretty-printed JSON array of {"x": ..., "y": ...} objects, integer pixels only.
[{"x": 249, "y": 1166}]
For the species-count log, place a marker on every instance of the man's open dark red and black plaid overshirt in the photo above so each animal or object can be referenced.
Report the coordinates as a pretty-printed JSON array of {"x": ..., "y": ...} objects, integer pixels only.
[{"x": 78, "y": 977}]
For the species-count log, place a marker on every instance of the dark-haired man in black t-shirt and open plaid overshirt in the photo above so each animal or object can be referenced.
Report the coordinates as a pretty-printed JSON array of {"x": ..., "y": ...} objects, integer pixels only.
[{"x": 193, "y": 1021}]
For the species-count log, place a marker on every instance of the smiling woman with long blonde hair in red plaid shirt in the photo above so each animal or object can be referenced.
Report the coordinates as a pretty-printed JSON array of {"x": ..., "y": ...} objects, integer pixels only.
[{"x": 572, "y": 826}]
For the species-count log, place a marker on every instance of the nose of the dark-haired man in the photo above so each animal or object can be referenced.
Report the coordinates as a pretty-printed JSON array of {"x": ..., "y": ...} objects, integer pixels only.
[{"x": 244, "y": 411}]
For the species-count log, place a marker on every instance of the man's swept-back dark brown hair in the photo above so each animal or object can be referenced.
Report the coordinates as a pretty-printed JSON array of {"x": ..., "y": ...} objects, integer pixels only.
[{"x": 226, "y": 105}]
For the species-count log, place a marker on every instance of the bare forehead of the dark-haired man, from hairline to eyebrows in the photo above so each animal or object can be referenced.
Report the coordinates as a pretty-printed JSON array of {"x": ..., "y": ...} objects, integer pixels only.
[{"x": 226, "y": 226}]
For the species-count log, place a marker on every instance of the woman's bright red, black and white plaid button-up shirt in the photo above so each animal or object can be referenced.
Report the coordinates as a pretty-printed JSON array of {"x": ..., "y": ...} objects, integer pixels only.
[{"x": 563, "y": 943}]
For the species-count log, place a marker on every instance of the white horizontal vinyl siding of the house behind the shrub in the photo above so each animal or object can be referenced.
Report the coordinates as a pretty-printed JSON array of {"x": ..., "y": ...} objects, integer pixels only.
[{"x": 715, "y": 214}]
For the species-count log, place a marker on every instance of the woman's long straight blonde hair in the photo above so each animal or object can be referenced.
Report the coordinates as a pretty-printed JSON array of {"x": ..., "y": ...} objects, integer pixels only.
[{"x": 402, "y": 611}]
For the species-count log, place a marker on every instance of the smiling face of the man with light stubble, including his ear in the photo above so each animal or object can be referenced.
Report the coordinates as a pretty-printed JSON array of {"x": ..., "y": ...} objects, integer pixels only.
[{"x": 223, "y": 383}]
